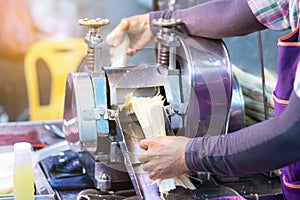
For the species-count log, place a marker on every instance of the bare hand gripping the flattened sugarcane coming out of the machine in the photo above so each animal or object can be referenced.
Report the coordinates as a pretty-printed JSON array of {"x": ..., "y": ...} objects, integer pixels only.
[{"x": 164, "y": 156}]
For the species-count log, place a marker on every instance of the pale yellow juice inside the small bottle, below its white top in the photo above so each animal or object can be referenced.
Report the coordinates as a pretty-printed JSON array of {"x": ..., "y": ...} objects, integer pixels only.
[{"x": 23, "y": 182}]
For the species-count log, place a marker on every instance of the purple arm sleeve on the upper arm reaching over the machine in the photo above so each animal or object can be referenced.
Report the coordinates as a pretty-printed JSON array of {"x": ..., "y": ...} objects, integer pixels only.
[{"x": 215, "y": 19}]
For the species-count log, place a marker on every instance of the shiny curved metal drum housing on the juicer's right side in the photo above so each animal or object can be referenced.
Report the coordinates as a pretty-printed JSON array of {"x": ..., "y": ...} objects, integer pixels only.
[{"x": 206, "y": 85}]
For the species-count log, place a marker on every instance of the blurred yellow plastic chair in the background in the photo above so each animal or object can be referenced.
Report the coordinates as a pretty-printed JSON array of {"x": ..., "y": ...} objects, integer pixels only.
[{"x": 61, "y": 57}]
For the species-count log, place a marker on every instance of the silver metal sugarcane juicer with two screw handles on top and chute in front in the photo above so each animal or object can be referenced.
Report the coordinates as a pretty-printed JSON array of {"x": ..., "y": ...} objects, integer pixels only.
[{"x": 193, "y": 75}]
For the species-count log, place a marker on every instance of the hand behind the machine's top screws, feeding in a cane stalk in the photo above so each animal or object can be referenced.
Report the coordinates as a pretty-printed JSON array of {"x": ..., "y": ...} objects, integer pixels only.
[{"x": 138, "y": 30}]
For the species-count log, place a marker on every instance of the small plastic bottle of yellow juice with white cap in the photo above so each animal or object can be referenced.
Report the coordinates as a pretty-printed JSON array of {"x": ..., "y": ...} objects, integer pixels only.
[{"x": 23, "y": 172}]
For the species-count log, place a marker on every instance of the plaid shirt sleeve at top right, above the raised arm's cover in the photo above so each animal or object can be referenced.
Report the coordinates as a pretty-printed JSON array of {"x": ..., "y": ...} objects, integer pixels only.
[{"x": 276, "y": 14}]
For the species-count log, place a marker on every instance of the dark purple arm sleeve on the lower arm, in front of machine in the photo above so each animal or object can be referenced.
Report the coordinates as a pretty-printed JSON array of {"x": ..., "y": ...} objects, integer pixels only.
[{"x": 262, "y": 147}]
